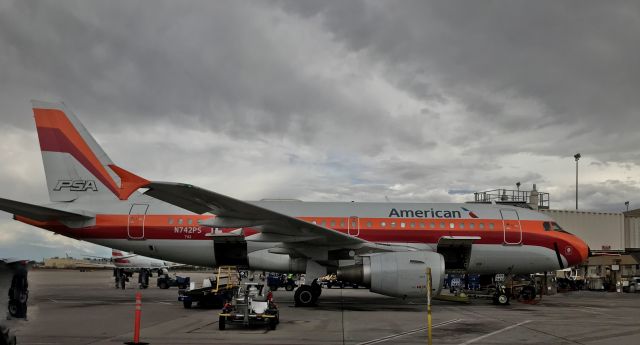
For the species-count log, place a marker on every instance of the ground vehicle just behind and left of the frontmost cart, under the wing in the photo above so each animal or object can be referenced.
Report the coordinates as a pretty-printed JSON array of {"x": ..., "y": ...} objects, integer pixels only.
[{"x": 214, "y": 292}]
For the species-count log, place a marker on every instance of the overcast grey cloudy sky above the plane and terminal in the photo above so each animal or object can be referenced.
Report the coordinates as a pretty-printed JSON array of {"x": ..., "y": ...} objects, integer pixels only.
[{"x": 329, "y": 100}]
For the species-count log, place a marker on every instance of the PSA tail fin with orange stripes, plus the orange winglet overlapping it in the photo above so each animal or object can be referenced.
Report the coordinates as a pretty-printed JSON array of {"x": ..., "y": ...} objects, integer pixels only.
[{"x": 74, "y": 163}]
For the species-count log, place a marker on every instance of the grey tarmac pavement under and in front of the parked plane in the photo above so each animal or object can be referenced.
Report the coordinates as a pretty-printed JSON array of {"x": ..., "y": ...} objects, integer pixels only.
[{"x": 72, "y": 307}]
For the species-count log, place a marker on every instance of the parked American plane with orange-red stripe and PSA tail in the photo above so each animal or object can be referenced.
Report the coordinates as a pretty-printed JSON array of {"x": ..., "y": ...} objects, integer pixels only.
[{"x": 385, "y": 246}]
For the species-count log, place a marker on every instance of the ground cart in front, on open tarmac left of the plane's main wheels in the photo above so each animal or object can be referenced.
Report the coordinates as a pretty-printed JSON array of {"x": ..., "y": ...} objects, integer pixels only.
[{"x": 252, "y": 305}]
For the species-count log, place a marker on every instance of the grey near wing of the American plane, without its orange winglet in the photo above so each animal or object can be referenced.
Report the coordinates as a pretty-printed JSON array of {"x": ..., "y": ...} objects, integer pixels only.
[{"x": 230, "y": 212}]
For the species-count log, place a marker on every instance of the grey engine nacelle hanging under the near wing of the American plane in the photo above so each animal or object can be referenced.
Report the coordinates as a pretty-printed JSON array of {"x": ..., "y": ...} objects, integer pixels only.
[{"x": 398, "y": 274}]
